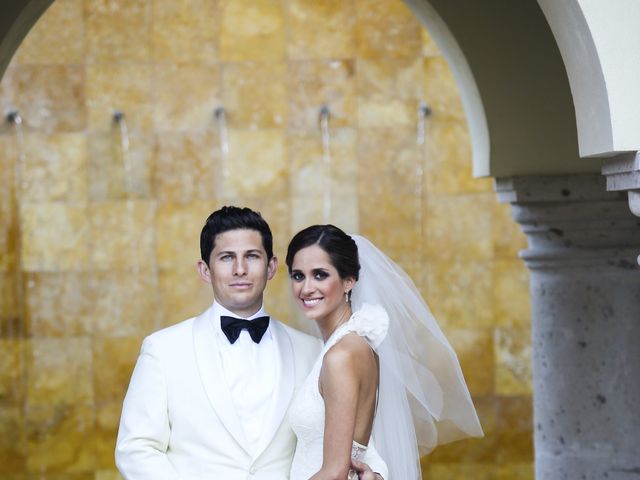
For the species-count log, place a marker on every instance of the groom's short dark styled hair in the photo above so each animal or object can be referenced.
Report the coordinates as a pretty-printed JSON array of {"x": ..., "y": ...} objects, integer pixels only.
[{"x": 233, "y": 218}]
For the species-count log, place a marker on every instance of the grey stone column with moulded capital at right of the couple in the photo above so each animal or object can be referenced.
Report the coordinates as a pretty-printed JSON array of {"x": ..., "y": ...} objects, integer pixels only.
[{"x": 585, "y": 294}]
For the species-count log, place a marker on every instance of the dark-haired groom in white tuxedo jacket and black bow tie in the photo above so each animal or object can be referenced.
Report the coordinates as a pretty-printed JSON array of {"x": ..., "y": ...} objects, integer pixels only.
[{"x": 208, "y": 397}]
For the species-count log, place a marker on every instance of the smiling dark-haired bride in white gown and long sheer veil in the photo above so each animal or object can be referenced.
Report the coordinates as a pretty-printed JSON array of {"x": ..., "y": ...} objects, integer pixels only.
[{"x": 387, "y": 379}]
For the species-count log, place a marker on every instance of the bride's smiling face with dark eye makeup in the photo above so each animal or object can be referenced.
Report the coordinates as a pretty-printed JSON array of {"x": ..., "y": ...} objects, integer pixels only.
[{"x": 317, "y": 286}]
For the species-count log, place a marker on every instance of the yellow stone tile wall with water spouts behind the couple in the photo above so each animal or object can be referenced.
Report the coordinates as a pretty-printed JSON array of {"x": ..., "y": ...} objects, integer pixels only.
[{"x": 93, "y": 259}]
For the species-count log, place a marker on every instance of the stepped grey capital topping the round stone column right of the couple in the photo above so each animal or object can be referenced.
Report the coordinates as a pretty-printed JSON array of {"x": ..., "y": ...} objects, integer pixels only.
[{"x": 572, "y": 221}]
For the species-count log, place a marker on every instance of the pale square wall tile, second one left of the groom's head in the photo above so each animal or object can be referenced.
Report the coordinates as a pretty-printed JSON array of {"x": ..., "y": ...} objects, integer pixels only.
[{"x": 125, "y": 302}]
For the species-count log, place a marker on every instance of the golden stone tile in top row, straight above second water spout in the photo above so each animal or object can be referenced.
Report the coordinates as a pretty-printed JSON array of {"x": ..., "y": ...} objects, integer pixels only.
[{"x": 118, "y": 30}]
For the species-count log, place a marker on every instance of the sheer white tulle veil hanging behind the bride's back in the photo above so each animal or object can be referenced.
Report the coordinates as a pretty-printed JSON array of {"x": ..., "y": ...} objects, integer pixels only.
[{"x": 423, "y": 397}]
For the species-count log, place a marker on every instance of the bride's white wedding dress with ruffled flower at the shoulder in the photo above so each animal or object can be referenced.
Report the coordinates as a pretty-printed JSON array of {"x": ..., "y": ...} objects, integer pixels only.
[{"x": 306, "y": 414}]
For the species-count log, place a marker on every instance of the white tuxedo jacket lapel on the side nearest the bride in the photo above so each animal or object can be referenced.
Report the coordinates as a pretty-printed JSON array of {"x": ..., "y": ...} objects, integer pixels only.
[{"x": 283, "y": 392}]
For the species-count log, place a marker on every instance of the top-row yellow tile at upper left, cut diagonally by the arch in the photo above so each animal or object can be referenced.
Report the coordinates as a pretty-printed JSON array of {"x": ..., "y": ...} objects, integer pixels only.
[{"x": 57, "y": 37}]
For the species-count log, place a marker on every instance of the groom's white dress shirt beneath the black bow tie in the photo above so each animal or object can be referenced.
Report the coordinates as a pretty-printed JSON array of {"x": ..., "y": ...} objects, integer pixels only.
[{"x": 251, "y": 371}]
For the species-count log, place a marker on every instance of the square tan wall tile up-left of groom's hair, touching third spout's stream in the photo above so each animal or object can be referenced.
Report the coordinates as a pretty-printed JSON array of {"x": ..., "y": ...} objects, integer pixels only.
[{"x": 187, "y": 166}]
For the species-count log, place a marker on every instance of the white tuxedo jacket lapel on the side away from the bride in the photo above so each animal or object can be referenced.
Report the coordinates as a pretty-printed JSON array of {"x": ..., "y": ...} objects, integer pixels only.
[{"x": 206, "y": 349}]
